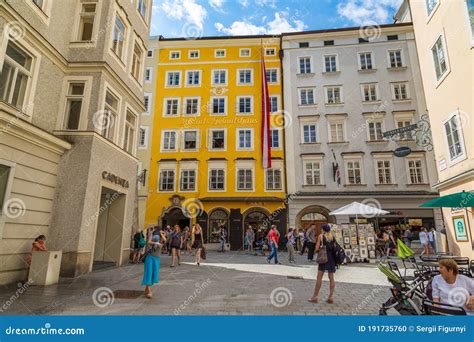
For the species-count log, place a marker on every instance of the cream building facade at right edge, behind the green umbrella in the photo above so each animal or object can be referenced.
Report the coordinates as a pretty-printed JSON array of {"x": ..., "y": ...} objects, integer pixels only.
[{"x": 444, "y": 33}]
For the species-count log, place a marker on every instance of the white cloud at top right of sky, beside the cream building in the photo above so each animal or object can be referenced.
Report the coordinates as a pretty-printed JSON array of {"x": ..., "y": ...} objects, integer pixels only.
[{"x": 367, "y": 12}]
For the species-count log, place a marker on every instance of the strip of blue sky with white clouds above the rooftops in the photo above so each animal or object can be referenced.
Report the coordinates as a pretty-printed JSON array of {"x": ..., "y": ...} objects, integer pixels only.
[{"x": 196, "y": 18}]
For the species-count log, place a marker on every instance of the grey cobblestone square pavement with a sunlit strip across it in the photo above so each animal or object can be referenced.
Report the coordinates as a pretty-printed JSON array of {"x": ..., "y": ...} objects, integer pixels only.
[{"x": 226, "y": 284}]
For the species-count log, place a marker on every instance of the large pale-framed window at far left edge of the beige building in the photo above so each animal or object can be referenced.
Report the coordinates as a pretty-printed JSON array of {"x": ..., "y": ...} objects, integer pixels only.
[{"x": 16, "y": 75}]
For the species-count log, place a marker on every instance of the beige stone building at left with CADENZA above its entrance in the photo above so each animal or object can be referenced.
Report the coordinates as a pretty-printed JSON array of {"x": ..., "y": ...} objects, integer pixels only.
[{"x": 70, "y": 104}]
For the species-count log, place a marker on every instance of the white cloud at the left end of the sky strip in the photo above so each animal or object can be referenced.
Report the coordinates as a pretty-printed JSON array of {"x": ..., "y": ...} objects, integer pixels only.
[{"x": 187, "y": 10}]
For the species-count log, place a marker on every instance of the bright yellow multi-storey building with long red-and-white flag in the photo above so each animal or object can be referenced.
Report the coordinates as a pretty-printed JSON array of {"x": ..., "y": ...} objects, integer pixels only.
[{"x": 206, "y": 159}]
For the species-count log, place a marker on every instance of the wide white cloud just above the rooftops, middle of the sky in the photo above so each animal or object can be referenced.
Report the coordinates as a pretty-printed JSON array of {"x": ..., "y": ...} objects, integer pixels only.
[{"x": 280, "y": 23}]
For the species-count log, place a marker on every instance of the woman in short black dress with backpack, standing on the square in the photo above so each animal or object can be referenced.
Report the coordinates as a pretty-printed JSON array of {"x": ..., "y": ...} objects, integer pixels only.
[{"x": 326, "y": 248}]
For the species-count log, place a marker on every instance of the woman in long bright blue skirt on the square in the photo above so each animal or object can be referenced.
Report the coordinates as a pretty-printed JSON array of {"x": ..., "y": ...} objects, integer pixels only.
[{"x": 152, "y": 262}]
